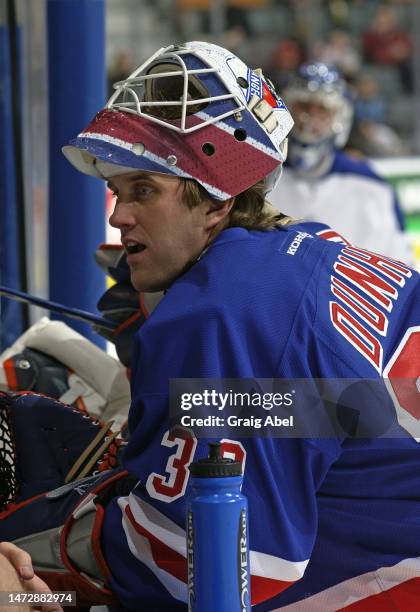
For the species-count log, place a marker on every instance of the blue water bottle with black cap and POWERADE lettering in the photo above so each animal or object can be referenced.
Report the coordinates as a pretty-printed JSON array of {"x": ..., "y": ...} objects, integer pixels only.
[{"x": 217, "y": 536}]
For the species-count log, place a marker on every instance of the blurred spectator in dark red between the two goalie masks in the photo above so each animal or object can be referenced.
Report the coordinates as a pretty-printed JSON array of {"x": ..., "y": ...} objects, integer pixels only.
[{"x": 285, "y": 59}]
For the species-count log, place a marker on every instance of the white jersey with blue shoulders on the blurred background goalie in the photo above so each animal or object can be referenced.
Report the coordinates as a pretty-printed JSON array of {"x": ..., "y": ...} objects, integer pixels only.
[{"x": 351, "y": 199}]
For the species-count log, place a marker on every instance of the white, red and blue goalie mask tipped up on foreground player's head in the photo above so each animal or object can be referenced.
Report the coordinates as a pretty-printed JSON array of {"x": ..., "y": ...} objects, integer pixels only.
[{"x": 194, "y": 111}]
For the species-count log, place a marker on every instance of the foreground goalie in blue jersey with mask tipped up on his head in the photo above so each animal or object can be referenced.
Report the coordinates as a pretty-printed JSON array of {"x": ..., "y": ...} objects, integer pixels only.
[{"x": 190, "y": 144}]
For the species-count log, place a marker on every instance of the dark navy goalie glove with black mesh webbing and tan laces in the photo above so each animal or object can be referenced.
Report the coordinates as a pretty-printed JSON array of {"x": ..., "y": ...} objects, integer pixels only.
[{"x": 45, "y": 443}]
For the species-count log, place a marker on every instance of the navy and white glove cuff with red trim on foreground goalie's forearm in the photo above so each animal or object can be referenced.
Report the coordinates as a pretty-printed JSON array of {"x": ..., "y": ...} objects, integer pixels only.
[{"x": 61, "y": 531}]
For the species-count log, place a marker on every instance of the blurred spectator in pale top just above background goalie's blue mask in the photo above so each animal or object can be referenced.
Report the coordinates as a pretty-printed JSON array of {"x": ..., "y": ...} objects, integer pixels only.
[{"x": 339, "y": 50}]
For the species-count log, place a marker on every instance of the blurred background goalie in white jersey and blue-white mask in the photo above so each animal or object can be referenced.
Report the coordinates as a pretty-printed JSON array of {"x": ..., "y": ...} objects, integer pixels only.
[{"x": 321, "y": 182}]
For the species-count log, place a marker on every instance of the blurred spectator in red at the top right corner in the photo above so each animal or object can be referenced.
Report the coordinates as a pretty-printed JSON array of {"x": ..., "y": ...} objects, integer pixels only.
[{"x": 386, "y": 44}]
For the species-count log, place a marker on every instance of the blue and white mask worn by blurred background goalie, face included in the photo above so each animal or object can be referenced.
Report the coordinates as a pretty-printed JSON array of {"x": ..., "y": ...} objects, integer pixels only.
[{"x": 321, "y": 105}]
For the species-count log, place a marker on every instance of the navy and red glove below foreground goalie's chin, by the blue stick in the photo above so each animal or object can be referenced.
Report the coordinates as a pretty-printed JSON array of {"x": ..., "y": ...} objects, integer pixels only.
[{"x": 121, "y": 303}]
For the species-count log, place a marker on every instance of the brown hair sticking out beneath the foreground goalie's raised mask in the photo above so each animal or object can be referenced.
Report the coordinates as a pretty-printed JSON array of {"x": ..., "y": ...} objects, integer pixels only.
[{"x": 250, "y": 209}]
